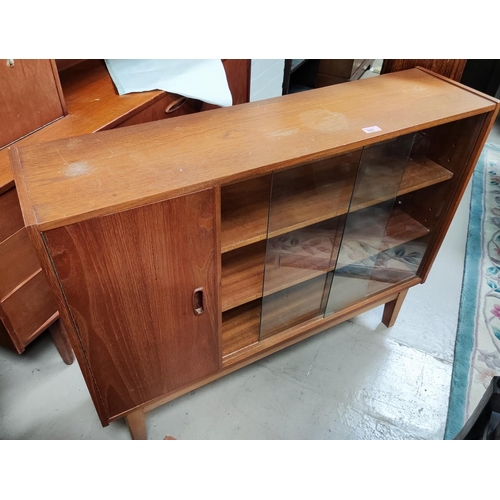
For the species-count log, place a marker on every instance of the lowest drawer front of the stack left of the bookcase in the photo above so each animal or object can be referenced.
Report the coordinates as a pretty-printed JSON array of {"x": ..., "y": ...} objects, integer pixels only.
[{"x": 29, "y": 307}]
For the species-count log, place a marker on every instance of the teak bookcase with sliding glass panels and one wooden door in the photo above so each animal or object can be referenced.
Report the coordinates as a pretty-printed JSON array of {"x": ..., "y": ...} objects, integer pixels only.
[{"x": 180, "y": 251}]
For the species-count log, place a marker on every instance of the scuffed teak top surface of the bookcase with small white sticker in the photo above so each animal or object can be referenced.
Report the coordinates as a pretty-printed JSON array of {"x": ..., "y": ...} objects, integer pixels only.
[{"x": 74, "y": 179}]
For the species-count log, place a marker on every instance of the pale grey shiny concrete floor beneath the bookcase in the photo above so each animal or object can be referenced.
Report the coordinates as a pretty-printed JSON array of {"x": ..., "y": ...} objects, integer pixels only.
[{"x": 358, "y": 380}]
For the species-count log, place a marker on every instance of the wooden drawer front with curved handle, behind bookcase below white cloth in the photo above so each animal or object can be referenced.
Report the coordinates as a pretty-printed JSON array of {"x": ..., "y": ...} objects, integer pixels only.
[{"x": 170, "y": 106}]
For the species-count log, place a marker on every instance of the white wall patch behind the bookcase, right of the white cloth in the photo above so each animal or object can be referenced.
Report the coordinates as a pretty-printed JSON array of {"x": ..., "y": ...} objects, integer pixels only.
[{"x": 266, "y": 78}]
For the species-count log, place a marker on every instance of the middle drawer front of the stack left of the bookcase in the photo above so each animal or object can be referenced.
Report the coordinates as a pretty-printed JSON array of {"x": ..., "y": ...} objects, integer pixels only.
[{"x": 18, "y": 261}]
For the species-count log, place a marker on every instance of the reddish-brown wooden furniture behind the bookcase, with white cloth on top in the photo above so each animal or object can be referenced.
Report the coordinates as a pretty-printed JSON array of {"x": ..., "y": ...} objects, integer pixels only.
[{"x": 32, "y": 96}]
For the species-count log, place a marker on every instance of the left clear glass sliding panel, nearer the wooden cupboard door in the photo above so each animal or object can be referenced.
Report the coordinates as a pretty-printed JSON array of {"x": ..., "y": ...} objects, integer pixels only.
[{"x": 307, "y": 213}]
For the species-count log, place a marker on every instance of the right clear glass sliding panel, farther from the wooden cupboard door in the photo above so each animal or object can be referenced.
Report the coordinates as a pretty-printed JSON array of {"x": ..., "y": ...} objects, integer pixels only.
[{"x": 375, "y": 229}]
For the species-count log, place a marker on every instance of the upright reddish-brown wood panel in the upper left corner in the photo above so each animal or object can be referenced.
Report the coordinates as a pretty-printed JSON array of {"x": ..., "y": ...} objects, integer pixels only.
[{"x": 29, "y": 98}]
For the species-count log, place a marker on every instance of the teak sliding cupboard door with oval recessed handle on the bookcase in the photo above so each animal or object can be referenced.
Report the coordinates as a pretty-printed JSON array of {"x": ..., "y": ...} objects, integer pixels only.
[{"x": 141, "y": 287}]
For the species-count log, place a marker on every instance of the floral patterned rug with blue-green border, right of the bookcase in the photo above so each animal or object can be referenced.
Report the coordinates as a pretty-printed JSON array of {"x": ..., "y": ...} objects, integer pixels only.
[{"x": 477, "y": 348}]
